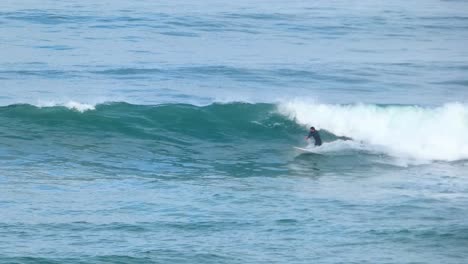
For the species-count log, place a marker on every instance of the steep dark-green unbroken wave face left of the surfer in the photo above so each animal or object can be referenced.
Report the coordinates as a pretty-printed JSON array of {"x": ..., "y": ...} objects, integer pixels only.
[{"x": 212, "y": 122}]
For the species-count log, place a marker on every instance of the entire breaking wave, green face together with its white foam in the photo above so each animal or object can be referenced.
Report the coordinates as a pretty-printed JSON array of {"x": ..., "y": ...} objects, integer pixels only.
[{"x": 407, "y": 132}]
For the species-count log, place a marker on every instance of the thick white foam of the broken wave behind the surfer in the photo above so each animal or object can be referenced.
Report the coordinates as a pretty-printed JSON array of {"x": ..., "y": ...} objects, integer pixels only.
[{"x": 414, "y": 132}]
